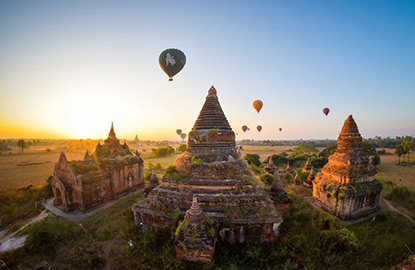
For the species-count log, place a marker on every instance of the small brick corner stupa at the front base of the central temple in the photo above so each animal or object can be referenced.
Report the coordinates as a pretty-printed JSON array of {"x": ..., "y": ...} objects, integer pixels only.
[{"x": 195, "y": 237}]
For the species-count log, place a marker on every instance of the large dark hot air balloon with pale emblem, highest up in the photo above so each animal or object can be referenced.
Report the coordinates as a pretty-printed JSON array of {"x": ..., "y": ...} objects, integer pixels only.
[{"x": 172, "y": 61}]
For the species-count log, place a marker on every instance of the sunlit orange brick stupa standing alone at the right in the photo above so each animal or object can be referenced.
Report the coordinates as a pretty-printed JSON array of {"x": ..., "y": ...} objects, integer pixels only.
[{"x": 346, "y": 186}]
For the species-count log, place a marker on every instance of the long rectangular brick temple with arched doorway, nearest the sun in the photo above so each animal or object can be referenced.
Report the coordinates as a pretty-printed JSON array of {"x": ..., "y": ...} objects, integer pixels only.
[{"x": 110, "y": 171}]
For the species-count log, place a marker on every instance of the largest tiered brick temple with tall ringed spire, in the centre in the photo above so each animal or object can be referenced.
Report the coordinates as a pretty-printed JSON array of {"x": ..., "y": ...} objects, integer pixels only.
[{"x": 226, "y": 190}]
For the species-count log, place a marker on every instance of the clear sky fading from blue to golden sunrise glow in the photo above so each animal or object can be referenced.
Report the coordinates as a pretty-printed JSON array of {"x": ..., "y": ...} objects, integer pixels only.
[{"x": 70, "y": 68}]
